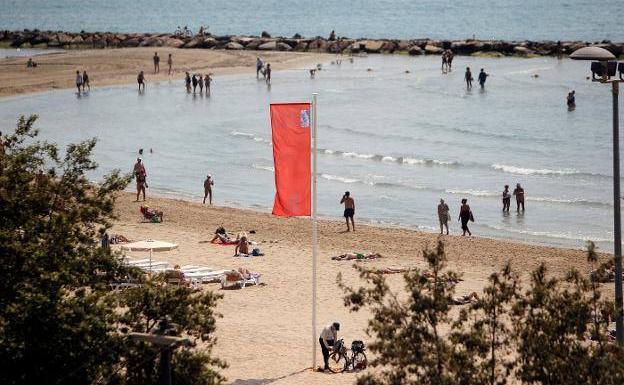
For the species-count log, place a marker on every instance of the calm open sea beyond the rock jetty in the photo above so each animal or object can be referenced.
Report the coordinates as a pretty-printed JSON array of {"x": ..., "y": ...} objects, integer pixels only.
[{"x": 445, "y": 19}]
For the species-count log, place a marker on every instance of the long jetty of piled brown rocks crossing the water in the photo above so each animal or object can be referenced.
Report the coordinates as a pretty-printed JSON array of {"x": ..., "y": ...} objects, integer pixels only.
[{"x": 493, "y": 48}]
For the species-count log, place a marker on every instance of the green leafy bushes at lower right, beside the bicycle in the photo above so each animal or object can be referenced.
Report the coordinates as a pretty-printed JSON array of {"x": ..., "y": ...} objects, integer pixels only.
[{"x": 553, "y": 333}]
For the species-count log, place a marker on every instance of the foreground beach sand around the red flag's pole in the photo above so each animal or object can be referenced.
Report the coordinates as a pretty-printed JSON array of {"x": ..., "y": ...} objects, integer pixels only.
[{"x": 265, "y": 332}]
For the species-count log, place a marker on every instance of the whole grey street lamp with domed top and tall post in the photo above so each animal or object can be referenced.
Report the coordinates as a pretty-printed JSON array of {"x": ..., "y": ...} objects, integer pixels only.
[{"x": 603, "y": 69}]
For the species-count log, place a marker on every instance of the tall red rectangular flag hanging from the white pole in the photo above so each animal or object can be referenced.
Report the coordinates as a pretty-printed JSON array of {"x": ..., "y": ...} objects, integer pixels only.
[{"x": 290, "y": 124}]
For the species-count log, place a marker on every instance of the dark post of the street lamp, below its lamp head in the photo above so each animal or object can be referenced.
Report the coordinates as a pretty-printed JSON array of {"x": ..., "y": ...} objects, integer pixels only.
[{"x": 617, "y": 226}]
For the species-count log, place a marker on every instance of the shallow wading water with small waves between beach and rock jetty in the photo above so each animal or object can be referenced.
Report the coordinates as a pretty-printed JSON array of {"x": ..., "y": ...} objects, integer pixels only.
[{"x": 397, "y": 141}]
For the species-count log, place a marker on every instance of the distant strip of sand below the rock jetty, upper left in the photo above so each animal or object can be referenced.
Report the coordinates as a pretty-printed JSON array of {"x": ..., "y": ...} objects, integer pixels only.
[{"x": 121, "y": 66}]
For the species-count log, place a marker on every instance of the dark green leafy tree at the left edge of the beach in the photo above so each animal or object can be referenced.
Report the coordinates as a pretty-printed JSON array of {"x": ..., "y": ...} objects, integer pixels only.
[{"x": 59, "y": 321}]
